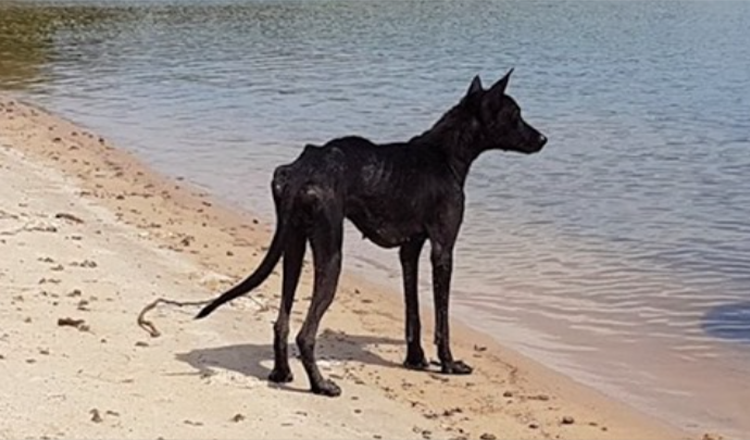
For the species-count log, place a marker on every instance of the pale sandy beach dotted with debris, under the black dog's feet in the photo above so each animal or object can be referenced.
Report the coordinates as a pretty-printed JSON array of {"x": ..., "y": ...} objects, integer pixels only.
[{"x": 89, "y": 236}]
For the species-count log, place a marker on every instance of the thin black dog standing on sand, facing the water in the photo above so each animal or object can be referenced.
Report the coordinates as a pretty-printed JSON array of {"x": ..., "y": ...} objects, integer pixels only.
[{"x": 397, "y": 195}]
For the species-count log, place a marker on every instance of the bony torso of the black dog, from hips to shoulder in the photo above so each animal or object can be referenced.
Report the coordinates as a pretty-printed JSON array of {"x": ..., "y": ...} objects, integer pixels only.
[{"x": 388, "y": 191}]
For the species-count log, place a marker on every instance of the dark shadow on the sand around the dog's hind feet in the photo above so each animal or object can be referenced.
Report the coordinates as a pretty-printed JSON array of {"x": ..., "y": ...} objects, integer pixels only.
[{"x": 256, "y": 360}]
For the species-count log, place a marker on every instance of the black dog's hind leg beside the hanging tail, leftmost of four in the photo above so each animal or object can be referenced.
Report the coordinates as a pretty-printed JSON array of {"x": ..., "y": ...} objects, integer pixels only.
[{"x": 294, "y": 253}]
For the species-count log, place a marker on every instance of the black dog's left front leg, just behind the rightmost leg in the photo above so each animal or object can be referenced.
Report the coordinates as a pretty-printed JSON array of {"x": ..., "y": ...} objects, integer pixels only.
[{"x": 409, "y": 255}]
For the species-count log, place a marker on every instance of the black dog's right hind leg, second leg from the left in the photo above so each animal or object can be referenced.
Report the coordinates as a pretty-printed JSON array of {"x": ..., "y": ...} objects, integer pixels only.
[{"x": 325, "y": 241}]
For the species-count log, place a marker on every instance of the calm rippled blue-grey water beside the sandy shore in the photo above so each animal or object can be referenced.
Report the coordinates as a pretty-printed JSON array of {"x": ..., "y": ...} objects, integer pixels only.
[{"x": 620, "y": 255}]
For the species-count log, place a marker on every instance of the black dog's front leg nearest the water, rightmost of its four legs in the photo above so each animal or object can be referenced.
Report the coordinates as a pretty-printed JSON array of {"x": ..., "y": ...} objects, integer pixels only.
[{"x": 442, "y": 268}]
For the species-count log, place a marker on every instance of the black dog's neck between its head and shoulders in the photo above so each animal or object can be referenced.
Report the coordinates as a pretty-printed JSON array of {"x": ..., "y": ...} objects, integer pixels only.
[{"x": 458, "y": 135}]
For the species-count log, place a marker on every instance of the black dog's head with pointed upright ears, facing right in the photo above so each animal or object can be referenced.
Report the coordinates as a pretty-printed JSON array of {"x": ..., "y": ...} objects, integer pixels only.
[{"x": 499, "y": 120}]
